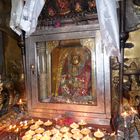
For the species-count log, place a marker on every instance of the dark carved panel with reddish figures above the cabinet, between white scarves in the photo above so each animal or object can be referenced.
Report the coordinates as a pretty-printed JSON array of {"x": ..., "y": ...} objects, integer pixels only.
[{"x": 59, "y": 13}]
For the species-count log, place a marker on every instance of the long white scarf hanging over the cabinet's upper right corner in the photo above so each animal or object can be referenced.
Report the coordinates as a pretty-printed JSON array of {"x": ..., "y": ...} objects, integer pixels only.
[{"x": 109, "y": 27}]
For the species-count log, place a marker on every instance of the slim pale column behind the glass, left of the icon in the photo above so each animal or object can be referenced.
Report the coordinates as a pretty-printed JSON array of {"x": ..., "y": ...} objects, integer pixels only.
[{"x": 42, "y": 70}]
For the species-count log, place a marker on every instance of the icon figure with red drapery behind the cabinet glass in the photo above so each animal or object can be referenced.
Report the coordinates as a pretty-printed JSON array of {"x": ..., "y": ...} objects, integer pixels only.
[{"x": 76, "y": 74}]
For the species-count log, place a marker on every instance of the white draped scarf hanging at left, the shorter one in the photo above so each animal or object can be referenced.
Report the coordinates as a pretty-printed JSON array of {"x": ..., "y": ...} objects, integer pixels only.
[{"x": 25, "y": 17}]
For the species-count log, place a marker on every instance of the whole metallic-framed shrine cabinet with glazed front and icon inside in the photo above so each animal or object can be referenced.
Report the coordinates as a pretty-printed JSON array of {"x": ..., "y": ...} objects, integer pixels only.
[{"x": 68, "y": 72}]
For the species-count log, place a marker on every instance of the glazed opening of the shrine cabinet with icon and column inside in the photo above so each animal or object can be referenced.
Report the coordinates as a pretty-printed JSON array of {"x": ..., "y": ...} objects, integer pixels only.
[{"x": 66, "y": 71}]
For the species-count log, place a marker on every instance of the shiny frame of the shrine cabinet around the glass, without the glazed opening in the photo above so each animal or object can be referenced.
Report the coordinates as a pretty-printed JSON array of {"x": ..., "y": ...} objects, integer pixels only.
[{"x": 100, "y": 114}]
